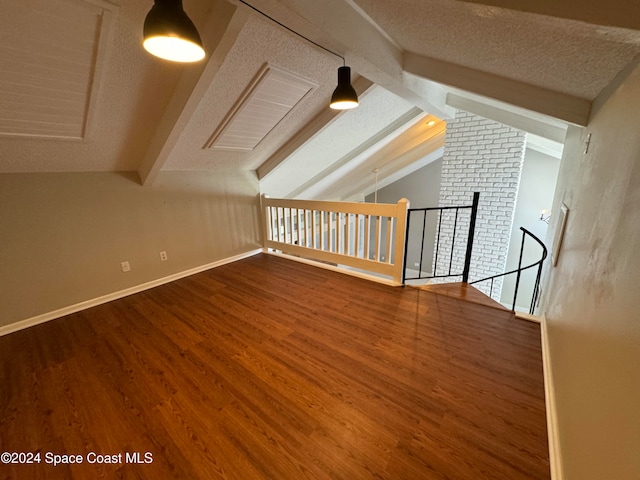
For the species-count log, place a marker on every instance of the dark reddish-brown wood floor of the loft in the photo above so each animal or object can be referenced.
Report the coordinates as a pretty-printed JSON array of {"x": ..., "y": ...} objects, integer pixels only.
[{"x": 267, "y": 368}]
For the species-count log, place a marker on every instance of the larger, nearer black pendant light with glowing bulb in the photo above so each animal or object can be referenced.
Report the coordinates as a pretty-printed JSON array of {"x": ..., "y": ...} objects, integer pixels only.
[{"x": 170, "y": 34}]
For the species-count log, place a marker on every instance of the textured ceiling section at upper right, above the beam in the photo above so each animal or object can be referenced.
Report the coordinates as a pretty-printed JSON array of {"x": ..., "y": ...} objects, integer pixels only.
[{"x": 562, "y": 55}]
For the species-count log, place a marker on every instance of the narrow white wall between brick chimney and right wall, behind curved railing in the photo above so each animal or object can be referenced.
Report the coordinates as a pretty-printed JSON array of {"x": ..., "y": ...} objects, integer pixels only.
[{"x": 537, "y": 187}]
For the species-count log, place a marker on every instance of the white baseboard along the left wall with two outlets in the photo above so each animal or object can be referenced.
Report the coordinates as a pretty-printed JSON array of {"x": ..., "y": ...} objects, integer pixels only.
[{"x": 46, "y": 317}]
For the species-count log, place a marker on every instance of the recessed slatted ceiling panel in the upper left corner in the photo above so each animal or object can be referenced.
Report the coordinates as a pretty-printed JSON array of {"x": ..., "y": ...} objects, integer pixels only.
[{"x": 50, "y": 55}]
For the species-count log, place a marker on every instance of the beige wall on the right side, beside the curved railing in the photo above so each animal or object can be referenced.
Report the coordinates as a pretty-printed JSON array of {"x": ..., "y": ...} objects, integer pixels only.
[{"x": 592, "y": 297}]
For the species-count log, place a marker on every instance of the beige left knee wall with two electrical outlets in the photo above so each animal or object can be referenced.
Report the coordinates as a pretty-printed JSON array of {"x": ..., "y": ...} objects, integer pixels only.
[{"x": 63, "y": 235}]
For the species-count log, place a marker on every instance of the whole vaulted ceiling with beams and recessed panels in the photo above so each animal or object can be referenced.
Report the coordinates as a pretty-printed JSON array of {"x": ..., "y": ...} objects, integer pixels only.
[{"x": 78, "y": 92}]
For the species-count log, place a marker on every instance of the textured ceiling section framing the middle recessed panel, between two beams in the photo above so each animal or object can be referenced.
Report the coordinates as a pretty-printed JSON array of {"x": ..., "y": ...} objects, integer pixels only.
[{"x": 260, "y": 43}]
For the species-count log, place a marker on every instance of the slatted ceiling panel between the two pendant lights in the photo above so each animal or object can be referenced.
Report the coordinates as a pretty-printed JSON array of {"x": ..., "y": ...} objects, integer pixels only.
[{"x": 270, "y": 97}]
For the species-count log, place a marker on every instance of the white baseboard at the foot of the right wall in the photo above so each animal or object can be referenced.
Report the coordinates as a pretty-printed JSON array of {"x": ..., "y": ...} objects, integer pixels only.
[{"x": 550, "y": 400}]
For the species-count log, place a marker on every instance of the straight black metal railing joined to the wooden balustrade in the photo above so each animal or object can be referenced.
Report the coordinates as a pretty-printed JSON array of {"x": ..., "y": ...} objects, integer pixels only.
[{"x": 455, "y": 210}]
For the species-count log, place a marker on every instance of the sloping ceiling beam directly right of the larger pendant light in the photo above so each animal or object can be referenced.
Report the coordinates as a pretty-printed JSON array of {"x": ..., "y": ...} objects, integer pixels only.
[{"x": 224, "y": 24}]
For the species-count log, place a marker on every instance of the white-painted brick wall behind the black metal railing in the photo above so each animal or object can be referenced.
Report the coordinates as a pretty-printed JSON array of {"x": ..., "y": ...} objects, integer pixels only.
[{"x": 483, "y": 156}]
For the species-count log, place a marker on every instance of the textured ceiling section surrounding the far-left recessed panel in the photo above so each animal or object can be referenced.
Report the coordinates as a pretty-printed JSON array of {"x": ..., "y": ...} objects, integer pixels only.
[{"x": 134, "y": 91}]
